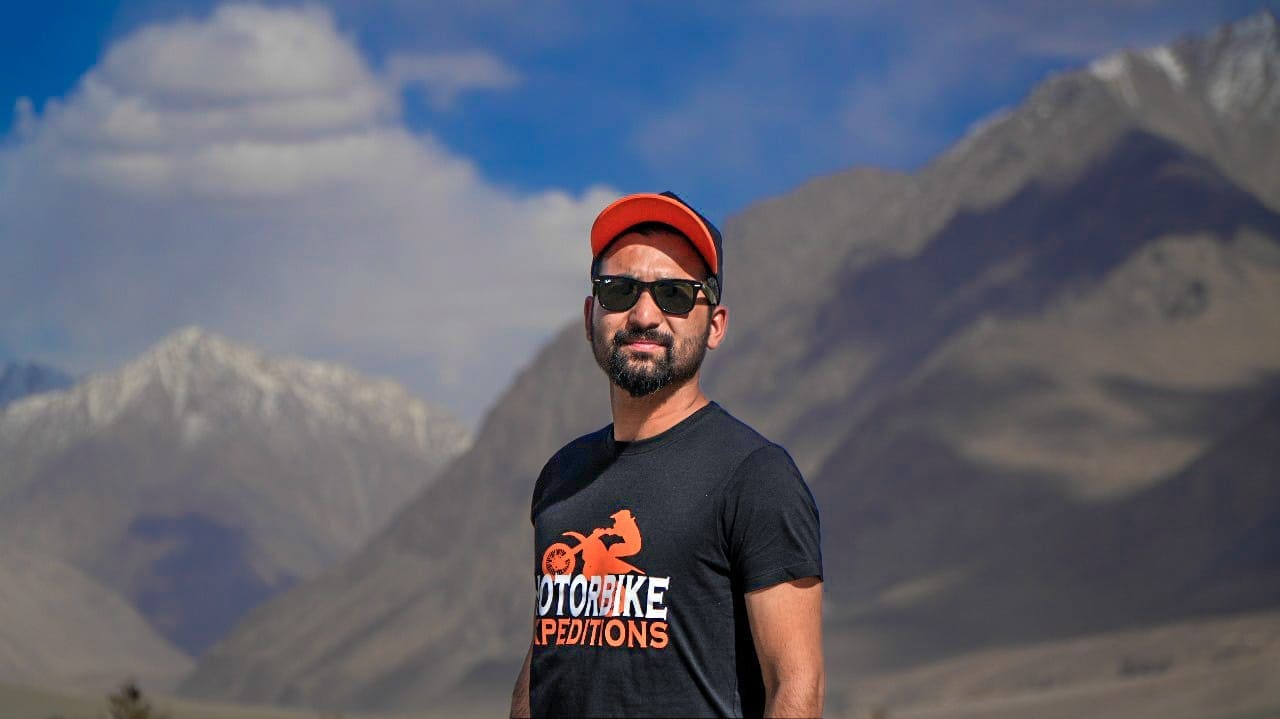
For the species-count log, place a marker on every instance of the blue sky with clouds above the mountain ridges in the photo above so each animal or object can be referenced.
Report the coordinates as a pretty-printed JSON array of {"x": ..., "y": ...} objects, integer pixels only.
[{"x": 492, "y": 120}]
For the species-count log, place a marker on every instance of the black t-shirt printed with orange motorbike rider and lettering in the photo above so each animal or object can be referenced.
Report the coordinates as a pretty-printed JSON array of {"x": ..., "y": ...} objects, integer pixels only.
[{"x": 643, "y": 553}]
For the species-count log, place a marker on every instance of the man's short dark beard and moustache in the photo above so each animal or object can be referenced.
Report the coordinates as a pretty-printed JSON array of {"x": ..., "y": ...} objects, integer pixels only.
[{"x": 678, "y": 364}]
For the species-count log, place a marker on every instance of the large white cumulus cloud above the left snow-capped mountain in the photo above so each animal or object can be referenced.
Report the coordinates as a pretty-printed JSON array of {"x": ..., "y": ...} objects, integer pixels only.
[{"x": 250, "y": 172}]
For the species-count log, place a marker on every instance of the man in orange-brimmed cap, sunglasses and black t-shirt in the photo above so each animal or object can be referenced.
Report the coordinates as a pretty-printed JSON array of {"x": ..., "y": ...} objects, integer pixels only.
[{"x": 717, "y": 607}]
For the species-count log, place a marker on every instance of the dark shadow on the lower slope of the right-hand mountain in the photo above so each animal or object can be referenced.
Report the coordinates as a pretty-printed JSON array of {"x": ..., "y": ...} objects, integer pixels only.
[{"x": 1201, "y": 543}]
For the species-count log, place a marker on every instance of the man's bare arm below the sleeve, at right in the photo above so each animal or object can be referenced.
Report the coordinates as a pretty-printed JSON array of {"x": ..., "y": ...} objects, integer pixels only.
[{"x": 787, "y": 626}]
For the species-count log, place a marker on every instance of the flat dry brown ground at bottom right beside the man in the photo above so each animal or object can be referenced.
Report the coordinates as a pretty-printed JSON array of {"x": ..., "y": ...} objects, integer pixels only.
[{"x": 1226, "y": 668}]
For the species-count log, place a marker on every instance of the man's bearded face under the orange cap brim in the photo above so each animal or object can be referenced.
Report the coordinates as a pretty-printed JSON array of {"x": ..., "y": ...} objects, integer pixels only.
[{"x": 644, "y": 350}]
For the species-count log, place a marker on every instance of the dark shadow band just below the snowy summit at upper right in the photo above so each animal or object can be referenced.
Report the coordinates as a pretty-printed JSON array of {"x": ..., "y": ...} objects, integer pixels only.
[{"x": 1014, "y": 259}]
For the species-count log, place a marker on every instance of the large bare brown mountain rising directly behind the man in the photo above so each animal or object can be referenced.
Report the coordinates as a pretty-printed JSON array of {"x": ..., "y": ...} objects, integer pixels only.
[{"x": 994, "y": 373}]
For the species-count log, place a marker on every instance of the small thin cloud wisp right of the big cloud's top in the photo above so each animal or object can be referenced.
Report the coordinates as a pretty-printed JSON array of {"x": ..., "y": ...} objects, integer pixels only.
[{"x": 447, "y": 75}]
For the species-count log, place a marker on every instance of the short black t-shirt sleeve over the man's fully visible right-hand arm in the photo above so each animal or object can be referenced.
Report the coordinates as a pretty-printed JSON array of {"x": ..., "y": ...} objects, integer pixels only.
[{"x": 771, "y": 521}]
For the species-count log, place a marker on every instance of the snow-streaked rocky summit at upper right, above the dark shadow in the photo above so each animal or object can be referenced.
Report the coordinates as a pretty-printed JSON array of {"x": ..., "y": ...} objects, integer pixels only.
[{"x": 1218, "y": 97}]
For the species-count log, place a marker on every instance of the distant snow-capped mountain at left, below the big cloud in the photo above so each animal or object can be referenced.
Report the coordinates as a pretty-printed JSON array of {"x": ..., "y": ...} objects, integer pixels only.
[{"x": 205, "y": 477}]
